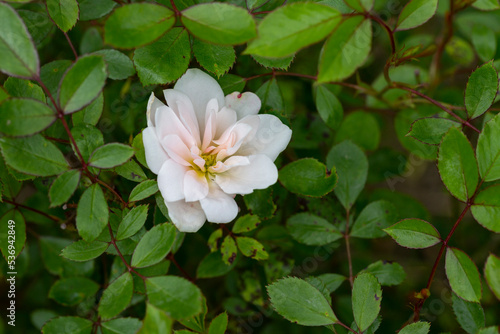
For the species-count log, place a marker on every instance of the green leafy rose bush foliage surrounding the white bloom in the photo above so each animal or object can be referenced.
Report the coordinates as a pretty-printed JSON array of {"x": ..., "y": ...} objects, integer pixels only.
[{"x": 396, "y": 141}]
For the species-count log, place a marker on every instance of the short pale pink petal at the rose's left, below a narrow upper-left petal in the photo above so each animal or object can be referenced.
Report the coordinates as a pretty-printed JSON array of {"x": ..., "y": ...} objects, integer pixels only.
[{"x": 169, "y": 124}]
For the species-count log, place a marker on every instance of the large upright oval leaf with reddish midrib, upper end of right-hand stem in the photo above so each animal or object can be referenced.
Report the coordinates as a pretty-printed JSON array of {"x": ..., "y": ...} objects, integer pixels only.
[{"x": 457, "y": 165}]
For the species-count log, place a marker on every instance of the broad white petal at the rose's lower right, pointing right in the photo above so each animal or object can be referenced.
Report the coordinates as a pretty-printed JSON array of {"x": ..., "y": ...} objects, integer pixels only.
[{"x": 259, "y": 174}]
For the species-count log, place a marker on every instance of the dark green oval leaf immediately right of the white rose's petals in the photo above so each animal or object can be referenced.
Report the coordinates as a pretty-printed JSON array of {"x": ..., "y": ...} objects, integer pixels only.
[{"x": 308, "y": 177}]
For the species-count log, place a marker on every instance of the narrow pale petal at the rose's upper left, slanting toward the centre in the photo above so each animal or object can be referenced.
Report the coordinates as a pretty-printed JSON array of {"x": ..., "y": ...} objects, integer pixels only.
[{"x": 183, "y": 108}]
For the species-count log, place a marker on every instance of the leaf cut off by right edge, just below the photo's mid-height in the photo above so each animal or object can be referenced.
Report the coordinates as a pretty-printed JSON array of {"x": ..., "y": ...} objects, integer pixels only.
[{"x": 486, "y": 208}]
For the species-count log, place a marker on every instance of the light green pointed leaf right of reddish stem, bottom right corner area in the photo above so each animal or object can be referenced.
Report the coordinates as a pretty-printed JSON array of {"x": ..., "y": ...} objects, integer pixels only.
[{"x": 463, "y": 275}]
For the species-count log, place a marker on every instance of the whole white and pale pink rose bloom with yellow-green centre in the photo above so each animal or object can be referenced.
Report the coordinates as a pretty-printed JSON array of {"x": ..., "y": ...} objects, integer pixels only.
[{"x": 207, "y": 148}]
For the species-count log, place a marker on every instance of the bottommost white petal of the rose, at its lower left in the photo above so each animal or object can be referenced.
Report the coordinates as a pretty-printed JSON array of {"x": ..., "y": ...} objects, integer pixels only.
[{"x": 187, "y": 217}]
